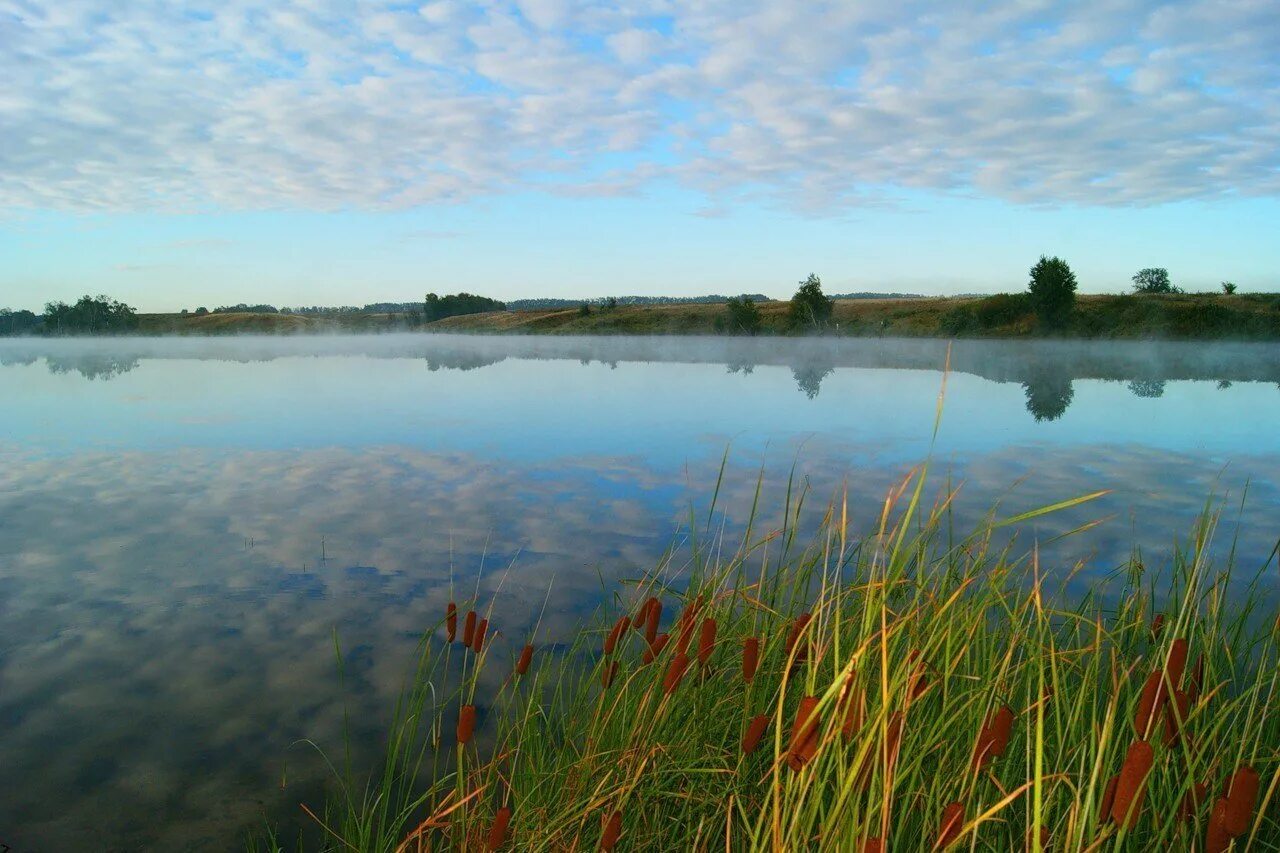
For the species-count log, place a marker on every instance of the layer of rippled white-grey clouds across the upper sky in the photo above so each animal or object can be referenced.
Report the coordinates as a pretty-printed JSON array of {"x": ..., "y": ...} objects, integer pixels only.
[{"x": 323, "y": 104}]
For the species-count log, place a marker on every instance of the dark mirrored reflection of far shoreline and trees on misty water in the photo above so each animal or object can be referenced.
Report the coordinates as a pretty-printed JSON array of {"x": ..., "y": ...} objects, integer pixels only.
[{"x": 1045, "y": 370}]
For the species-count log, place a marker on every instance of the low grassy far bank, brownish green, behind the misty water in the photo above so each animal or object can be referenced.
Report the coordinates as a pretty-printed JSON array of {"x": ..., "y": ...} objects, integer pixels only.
[{"x": 1177, "y": 317}]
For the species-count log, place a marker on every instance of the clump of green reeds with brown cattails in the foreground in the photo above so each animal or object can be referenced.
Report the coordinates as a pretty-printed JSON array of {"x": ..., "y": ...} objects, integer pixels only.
[{"x": 916, "y": 690}]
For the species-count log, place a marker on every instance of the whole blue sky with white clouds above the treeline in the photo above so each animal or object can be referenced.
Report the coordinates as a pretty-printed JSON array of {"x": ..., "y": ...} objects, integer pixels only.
[{"x": 330, "y": 153}]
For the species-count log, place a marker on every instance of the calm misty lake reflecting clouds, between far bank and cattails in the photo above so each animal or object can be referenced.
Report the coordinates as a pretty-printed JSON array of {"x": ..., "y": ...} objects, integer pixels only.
[{"x": 188, "y": 524}]
